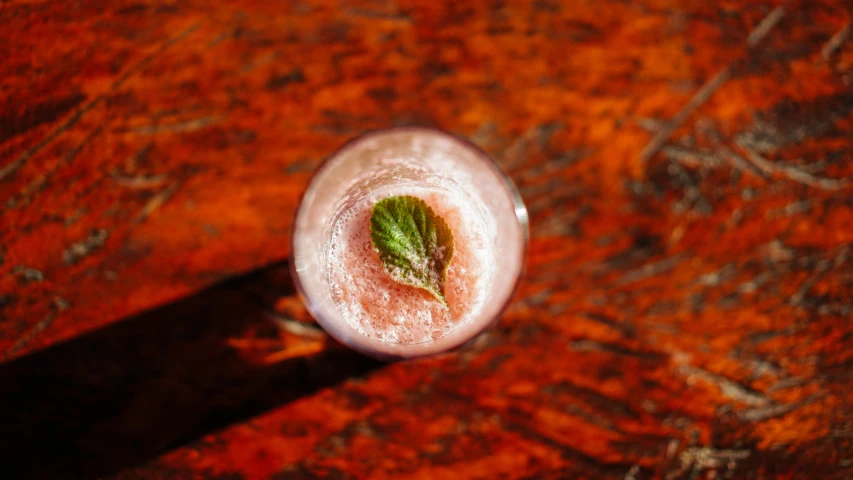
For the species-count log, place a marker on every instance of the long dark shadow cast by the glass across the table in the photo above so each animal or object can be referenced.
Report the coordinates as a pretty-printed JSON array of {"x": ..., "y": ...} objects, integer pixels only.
[{"x": 124, "y": 394}]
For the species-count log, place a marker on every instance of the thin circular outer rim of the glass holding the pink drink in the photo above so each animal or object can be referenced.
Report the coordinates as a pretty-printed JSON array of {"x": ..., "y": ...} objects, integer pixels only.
[{"x": 520, "y": 213}]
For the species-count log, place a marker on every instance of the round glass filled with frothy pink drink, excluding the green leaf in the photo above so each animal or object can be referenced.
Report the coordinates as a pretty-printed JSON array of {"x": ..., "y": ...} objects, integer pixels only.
[{"x": 341, "y": 277}]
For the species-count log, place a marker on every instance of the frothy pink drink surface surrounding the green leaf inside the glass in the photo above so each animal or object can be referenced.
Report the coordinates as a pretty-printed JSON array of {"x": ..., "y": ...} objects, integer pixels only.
[{"x": 381, "y": 308}]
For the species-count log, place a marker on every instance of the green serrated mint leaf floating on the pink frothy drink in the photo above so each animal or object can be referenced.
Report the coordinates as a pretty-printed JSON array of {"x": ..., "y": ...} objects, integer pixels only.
[{"x": 414, "y": 244}]
